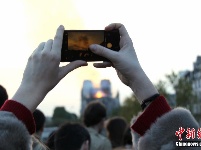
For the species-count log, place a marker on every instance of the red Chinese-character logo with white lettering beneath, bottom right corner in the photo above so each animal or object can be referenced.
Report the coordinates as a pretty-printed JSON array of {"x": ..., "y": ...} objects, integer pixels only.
[{"x": 191, "y": 134}]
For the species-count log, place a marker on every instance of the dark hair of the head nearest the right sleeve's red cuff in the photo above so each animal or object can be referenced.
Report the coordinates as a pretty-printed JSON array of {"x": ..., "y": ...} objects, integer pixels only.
[{"x": 116, "y": 128}]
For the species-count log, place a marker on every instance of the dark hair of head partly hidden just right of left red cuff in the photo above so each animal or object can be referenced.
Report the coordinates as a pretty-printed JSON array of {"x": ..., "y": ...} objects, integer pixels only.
[{"x": 39, "y": 118}]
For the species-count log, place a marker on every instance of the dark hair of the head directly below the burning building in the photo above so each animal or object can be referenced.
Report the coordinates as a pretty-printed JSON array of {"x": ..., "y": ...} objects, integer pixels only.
[{"x": 94, "y": 113}]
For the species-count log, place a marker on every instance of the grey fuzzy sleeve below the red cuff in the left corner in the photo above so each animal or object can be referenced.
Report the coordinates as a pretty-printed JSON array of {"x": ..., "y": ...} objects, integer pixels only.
[{"x": 13, "y": 132}]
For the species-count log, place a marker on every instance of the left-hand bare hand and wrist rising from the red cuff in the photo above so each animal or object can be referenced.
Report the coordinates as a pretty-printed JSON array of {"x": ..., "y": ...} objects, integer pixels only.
[{"x": 43, "y": 73}]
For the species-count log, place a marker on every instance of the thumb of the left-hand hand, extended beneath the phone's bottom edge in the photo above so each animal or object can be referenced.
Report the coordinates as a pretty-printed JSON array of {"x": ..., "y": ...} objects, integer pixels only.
[{"x": 70, "y": 67}]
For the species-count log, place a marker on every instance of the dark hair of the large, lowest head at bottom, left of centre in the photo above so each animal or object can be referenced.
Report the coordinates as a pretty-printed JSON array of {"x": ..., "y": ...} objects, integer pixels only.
[{"x": 71, "y": 136}]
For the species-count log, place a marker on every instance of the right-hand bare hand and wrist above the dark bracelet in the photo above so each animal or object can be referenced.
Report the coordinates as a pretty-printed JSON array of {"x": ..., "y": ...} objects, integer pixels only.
[{"x": 126, "y": 64}]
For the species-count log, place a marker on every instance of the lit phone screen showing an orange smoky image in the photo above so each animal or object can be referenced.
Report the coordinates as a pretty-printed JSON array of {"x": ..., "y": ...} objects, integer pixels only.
[{"x": 83, "y": 39}]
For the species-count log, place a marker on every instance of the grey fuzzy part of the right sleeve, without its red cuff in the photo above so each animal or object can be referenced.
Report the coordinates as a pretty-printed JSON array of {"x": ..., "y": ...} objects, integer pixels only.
[{"x": 164, "y": 129}]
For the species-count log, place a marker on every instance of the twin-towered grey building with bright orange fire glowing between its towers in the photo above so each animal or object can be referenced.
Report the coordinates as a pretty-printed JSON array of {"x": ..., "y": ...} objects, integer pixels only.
[{"x": 103, "y": 94}]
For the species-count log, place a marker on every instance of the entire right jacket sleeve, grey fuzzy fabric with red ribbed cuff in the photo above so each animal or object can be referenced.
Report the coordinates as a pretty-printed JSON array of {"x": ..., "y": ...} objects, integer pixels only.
[{"x": 159, "y": 127}]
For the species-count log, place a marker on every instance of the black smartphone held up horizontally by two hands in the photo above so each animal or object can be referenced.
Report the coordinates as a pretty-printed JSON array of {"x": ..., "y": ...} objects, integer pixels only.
[{"x": 76, "y": 44}]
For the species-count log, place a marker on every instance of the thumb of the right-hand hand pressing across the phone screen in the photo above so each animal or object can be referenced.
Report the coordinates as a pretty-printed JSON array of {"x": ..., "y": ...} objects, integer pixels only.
[{"x": 104, "y": 52}]
